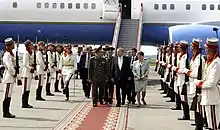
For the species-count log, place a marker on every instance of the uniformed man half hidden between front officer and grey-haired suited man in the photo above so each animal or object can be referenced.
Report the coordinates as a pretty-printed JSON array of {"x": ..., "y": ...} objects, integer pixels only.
[{"x": 109, "y": 90}]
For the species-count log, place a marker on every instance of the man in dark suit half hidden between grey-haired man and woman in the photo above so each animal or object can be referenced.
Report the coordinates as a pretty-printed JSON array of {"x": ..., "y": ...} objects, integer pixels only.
[{"x": 131, "y": 86}]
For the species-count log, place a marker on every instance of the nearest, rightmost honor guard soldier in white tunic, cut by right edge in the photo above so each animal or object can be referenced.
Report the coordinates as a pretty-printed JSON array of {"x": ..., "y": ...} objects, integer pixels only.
[{"x": 209, "y": 84}]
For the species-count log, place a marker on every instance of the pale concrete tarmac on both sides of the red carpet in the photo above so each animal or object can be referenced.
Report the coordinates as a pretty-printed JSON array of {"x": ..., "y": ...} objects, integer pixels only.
[{"x": 50, "y": 114}]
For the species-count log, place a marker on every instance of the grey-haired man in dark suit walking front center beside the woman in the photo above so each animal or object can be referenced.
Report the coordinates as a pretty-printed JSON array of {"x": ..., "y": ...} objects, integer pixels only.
[{"x": 121, "y": 74}]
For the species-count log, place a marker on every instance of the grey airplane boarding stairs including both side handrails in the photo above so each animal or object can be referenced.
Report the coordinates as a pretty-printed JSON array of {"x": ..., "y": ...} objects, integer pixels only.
[{"x": 128, "y": 32}]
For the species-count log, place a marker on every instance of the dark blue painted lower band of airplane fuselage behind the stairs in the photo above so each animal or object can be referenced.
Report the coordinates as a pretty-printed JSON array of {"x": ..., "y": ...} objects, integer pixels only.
[{"x": 76, "y": 33}]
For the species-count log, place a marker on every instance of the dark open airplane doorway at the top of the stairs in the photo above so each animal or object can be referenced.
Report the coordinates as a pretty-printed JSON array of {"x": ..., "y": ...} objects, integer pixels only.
[{"x": 126, "y": 9}]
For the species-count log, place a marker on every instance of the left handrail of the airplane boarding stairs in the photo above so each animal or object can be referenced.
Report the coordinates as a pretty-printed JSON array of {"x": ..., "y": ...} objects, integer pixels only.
[{"x": 117, "y": 29}]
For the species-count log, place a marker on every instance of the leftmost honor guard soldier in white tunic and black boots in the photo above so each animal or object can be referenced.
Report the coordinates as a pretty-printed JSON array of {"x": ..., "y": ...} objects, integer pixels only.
[{"x": 9, "y": 76}]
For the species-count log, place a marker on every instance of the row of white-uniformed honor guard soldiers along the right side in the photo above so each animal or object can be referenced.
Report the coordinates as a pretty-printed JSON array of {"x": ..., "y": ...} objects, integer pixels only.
[{"x": 192, "y": 82}]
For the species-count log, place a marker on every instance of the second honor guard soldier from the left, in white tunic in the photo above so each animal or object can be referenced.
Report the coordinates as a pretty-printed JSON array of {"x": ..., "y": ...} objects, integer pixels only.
[{"x": 27, "y": 72}]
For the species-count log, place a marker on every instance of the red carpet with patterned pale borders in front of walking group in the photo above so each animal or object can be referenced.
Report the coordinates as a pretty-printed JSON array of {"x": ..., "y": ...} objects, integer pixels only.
[{"x": 102, "y": 117}]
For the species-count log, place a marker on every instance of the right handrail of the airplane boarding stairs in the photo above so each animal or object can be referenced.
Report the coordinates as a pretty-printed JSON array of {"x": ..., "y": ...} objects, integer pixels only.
[{"x": 140, "y": 28}]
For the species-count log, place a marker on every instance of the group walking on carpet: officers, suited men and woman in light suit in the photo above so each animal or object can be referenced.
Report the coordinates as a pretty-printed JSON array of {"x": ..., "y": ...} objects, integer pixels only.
[{"x": 129, "y": 74}]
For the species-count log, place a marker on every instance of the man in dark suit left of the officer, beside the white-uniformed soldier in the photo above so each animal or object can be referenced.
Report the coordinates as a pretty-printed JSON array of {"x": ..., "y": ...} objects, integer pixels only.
[{"x": 83, "y": 69}]
